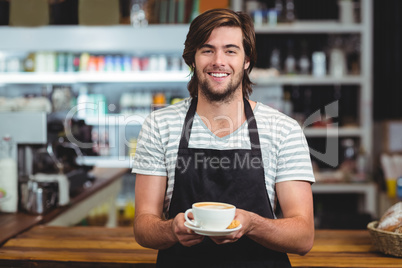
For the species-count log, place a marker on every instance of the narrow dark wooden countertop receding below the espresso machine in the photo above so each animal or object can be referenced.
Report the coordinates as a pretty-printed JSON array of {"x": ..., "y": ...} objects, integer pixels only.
[{"x": 12, "y": 224}]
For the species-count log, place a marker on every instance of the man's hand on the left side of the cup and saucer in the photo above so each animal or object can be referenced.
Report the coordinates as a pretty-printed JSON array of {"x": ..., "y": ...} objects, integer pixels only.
[{"x": 185, "y": 236}]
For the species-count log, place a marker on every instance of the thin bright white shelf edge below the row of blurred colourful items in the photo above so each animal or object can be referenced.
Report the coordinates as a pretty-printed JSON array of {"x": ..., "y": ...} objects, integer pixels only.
[{"x": 72, "y": 78}]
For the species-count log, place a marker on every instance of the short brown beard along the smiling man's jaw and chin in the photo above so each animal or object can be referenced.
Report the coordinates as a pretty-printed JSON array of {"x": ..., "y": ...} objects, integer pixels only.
[{"x": 222, "y": 96}]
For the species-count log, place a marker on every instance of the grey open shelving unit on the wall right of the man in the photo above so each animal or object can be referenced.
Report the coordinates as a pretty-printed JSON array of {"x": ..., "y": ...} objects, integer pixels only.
[{"x": 360, "y": 81}]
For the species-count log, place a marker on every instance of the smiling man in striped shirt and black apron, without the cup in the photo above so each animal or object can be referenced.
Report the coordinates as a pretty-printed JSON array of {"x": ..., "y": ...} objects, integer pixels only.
[{"x": 220, "y": 146}]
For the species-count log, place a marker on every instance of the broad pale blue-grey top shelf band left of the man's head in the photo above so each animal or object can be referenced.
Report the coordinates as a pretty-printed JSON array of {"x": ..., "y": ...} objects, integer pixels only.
[{"x": 160, "y": 39}]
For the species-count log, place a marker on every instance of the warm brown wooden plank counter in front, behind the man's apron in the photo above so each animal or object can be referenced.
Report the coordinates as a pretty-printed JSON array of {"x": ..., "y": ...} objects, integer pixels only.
[{"x": 48, "y": 246}]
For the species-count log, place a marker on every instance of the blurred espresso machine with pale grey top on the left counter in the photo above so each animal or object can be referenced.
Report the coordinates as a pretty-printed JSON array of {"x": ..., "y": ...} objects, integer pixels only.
[{"x": 49, "y": 170}]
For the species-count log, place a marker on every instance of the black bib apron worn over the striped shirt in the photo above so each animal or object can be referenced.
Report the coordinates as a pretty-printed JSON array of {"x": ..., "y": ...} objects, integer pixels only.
[{"x": 239, "y": 180}]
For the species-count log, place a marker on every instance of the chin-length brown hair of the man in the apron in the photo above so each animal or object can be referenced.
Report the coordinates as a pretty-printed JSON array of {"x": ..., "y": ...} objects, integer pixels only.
[{"x": 200, "y": 30}]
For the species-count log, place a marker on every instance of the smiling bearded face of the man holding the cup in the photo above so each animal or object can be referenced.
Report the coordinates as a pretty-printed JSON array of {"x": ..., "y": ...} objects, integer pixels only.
[{"x": 220, "y": 64}]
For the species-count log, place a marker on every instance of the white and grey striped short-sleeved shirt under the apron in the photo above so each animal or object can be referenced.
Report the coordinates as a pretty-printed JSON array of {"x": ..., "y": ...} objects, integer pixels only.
[{"x": 284, "y": 147}]
